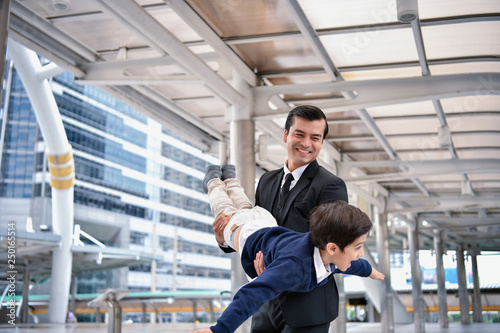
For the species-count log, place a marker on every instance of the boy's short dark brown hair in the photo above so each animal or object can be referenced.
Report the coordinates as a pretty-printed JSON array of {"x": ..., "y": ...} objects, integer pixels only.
[{"x": 337, "y": 222}]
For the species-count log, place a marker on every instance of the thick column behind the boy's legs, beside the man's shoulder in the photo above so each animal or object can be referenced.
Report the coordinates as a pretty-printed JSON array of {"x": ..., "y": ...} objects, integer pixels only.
[{"x": 242, "y": 152}]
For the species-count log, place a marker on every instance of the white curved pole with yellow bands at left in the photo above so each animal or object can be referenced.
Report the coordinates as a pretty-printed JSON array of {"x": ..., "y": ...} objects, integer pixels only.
[{"x": 61, "y": 171}]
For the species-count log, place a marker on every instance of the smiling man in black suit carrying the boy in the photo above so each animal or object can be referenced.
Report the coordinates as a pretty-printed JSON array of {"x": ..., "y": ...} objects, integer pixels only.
[{"x": 311, "y": 185}]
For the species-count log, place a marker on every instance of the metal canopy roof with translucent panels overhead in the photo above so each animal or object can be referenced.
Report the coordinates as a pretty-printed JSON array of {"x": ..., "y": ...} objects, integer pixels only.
[{"x": 413, "y": 108}]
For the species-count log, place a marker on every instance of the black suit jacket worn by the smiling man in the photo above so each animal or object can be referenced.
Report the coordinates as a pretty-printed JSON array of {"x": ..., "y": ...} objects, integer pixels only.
[{"x": 316, "y": 186}]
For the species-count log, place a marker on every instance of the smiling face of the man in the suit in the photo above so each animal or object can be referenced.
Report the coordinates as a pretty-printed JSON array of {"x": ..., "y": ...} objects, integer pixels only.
[{"x": 304, "y": 141}]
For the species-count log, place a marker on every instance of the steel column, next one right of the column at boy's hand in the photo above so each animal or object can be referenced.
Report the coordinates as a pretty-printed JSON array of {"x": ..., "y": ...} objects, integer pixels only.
[{"x": 418, "y": 306}]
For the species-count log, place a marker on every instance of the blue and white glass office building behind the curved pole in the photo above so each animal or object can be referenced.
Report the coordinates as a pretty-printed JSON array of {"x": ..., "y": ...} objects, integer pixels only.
[{"x": 137, "y": 186}]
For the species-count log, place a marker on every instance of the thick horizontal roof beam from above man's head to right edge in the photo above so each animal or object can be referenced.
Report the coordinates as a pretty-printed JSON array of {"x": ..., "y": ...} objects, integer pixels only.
[{"x": 384, "y": 92}]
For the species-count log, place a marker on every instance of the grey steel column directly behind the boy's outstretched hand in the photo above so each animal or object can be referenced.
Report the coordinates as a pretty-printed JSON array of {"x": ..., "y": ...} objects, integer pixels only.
[{"x": 386, "y": 315}]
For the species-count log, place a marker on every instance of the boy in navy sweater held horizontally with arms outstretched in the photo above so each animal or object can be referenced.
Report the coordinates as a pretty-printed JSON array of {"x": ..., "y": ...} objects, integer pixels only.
[{"x": 293, "y": 261}]
